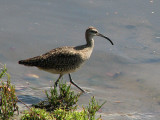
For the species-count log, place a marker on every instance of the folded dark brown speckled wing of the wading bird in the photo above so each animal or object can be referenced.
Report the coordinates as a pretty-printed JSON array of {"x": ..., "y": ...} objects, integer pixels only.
[{"x": 56, "y": 58}]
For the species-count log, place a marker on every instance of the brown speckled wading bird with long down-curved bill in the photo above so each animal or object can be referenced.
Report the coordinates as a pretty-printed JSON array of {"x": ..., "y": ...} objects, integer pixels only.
[{"x": 67, "y": 59}]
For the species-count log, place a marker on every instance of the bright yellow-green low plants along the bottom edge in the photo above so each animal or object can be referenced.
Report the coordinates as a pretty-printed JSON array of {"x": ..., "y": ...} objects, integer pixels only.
[{"x": 87, "y": 113}]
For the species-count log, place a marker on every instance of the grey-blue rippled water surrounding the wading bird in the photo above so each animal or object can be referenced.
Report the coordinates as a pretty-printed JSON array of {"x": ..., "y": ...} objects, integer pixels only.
[{"x": 126, "y": 74}]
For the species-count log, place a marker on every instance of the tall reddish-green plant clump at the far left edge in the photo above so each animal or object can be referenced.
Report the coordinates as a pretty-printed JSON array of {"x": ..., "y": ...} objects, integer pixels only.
[{"x": 8, "y": 99}]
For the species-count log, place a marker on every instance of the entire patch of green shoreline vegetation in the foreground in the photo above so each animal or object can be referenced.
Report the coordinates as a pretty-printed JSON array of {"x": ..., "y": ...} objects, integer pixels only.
[{"x": 60, "y": 103}]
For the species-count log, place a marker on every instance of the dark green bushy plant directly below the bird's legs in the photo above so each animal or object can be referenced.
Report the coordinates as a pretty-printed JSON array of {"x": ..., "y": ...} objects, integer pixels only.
[{"x": 64, "y": 98}]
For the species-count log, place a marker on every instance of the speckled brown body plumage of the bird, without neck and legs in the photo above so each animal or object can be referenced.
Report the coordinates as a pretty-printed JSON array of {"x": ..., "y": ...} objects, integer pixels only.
[{"x": 62, "y": 60}]
